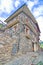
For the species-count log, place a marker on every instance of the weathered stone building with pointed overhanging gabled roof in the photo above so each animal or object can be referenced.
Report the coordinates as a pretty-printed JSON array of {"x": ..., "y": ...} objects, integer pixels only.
[{"x": 21, "y": 34}]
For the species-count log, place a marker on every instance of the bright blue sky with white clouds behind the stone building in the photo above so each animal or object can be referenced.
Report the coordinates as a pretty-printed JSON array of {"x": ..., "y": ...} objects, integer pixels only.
[{"x": 7, "y": 7}]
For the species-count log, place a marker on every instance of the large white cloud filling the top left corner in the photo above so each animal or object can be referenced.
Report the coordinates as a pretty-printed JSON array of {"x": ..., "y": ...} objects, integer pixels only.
[{"x": 6, "y": 6}]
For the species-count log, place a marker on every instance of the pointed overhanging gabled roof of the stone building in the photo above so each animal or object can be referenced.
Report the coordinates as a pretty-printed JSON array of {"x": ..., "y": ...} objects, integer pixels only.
[{"x": 24, "y": 9}]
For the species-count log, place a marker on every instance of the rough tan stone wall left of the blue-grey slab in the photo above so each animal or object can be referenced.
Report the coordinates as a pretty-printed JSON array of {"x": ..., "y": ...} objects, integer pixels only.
[{"x": 6, "y": 46}]
